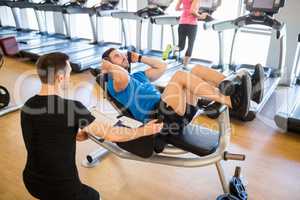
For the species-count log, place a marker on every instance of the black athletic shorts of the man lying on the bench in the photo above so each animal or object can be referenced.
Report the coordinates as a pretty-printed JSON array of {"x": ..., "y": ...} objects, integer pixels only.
[{"x": 173, "y": 123}]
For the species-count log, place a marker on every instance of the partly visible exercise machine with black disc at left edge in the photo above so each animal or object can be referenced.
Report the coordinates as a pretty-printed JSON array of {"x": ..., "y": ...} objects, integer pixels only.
[{"x": 5, "y": 99}]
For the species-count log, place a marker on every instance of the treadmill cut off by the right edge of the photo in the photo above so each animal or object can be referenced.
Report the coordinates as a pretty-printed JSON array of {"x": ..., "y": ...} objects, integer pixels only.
[{"x": 288, "y": 117}]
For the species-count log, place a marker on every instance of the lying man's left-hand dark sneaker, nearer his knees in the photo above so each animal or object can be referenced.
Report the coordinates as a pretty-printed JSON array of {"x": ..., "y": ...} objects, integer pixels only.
[{"x": 241, "y": 99}]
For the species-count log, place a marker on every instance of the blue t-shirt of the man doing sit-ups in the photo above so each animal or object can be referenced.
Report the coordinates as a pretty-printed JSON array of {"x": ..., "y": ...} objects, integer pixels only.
[{"x": 140, "y": 96}]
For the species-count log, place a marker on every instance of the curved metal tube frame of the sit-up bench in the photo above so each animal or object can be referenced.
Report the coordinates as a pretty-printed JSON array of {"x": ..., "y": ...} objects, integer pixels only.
[{"x": 173, "y": 156}]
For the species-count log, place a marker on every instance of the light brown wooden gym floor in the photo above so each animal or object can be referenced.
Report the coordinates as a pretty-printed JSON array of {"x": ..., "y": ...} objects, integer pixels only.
[{"x": 272, "y": 168}]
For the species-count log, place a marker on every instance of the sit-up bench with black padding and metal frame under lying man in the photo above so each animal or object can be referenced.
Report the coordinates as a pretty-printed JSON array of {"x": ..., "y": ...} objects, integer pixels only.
[{"x": 207, "y": 146}]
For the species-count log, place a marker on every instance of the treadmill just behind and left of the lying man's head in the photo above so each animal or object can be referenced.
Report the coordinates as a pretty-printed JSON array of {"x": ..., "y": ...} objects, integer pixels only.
[{"x": 83, "y": 55}]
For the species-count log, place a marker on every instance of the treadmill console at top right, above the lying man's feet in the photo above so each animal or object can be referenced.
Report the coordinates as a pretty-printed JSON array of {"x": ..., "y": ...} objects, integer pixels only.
[{"x": 267, "y": 6}]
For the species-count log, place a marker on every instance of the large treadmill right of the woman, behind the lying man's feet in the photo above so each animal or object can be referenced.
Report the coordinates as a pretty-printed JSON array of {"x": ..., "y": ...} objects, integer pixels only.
[{"x": 261, "y": 13}]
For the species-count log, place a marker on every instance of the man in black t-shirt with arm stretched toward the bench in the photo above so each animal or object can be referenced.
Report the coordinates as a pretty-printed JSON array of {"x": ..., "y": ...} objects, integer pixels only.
[{"x": 51, "y": 125}]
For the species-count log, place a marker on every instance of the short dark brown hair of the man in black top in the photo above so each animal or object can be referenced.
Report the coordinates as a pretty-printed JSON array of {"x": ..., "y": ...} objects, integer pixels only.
[{"x": 49, "y": 65}]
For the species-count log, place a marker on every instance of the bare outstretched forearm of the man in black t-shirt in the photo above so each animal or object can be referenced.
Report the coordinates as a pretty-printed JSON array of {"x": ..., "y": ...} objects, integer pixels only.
[{"x": 122, "y": 134}]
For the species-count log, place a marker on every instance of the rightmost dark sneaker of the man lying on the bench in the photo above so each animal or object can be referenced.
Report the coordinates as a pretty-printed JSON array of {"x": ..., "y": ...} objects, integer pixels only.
[{"x": 258, "y": 83}]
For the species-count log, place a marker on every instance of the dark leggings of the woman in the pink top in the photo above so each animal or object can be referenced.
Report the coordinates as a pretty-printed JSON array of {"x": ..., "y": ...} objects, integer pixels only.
[{"x": 187, "y": 31}]
